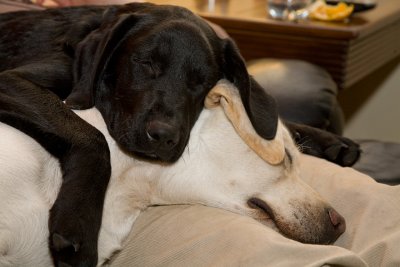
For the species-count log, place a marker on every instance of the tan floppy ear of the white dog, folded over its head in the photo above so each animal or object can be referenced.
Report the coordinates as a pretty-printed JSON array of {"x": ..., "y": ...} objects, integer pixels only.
[{"x": 227, "y": 95}]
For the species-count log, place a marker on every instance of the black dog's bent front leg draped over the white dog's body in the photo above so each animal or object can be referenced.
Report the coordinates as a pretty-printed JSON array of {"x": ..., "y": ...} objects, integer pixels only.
[{"x": 84, "y": 156}]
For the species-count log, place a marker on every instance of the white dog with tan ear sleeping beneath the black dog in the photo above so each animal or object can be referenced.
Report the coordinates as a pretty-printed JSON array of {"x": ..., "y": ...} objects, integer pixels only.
[{"x": 225, "y": 165}]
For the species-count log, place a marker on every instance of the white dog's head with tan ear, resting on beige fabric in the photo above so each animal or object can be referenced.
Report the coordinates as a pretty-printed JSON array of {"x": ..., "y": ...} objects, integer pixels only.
[{"x": 226, "y": 165}]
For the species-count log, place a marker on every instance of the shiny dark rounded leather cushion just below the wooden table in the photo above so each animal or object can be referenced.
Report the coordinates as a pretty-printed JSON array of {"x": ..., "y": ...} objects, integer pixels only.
[{"x": 305, "y": 93}]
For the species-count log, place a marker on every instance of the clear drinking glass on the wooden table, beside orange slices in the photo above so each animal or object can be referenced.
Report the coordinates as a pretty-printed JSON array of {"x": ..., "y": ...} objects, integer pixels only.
[{"x": 288, "y": 9}]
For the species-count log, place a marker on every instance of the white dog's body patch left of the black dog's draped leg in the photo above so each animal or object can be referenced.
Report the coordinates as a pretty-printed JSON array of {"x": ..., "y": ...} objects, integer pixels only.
[{"x": 29, "y": 178}]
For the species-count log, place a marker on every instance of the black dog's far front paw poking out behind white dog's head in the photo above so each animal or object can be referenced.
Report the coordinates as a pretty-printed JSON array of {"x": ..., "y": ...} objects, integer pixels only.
[{"x": 323, "y": 144}]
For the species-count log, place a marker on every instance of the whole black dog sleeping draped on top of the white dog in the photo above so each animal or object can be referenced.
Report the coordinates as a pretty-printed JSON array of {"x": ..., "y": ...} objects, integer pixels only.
[{"x": 147, "y": 69}]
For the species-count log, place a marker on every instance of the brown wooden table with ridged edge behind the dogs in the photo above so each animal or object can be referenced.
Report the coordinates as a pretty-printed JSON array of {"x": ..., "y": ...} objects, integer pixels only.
[{"x": 349, "y": 51}]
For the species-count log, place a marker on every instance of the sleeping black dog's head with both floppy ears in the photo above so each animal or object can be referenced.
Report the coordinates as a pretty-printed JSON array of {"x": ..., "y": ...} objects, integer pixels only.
[{"x": 148, "y": 68}]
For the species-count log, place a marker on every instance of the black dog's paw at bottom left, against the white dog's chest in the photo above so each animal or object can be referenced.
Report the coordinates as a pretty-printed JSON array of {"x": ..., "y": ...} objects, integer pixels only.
[{"x": 72, "y": 242}]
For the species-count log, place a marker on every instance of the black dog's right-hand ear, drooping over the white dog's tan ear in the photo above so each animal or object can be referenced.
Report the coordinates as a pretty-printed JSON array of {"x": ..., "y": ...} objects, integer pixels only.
[{"x": 260, "y": 107}]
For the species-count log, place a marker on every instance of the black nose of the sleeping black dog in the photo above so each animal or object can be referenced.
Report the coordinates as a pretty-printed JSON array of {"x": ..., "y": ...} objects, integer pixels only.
[{"x": 166, "y": 135}]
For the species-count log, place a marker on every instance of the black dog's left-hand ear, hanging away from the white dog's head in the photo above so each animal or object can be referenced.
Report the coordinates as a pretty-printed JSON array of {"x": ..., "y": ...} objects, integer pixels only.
[{"x": 93, "y": 54}]
